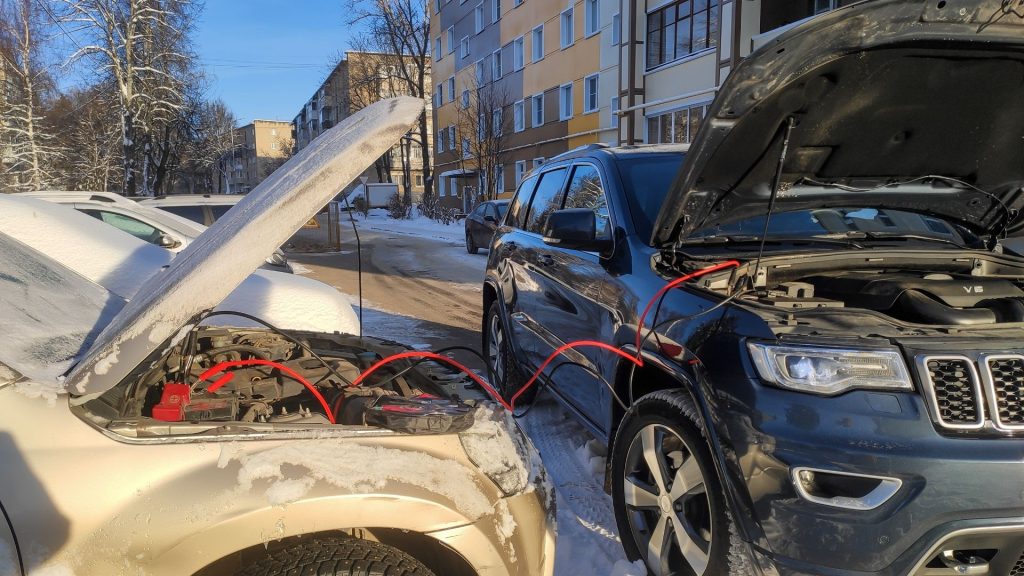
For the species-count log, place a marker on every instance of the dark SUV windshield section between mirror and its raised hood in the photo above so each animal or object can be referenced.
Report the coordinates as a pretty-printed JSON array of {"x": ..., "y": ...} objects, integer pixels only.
[{"x": 647, "y": 179}]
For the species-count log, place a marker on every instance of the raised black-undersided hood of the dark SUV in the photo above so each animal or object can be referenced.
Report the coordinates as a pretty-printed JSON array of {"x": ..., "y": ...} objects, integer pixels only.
[{"x": 882, "y": 92}]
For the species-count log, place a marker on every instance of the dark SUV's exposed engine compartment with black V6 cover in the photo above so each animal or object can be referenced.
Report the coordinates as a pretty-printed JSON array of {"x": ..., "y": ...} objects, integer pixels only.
[{"x": 920, "y": 298}]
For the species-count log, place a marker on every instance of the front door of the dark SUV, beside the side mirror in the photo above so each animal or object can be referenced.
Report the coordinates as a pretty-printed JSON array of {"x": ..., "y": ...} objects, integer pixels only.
[{"x": 578, "y": 301}]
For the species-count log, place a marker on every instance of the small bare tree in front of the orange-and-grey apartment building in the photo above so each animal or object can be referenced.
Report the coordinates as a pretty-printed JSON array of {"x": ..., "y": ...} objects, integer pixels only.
[{"x": 485, "y": 126}]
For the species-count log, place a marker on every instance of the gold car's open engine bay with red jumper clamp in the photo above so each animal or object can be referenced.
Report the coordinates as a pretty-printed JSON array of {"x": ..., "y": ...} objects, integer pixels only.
[{"x": 261, "y": 379}]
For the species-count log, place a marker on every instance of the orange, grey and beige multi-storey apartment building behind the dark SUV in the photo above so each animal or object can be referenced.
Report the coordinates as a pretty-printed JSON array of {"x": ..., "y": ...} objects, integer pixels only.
[{"x": 577, "y": 72}]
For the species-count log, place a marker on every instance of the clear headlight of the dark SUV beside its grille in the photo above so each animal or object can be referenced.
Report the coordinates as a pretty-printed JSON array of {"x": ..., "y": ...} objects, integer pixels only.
[{"x": 830, "y": 372}]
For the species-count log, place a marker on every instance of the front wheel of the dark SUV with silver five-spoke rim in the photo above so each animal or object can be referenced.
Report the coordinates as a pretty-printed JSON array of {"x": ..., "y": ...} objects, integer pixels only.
[{"x": 670, "y": 508}]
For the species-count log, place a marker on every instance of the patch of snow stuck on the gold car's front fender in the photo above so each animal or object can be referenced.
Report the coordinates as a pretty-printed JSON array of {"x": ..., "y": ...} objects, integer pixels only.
[{"x": 356, "y": 468}]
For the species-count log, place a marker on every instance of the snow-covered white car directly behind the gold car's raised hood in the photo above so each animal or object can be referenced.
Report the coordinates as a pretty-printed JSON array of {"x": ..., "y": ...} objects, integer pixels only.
[{"x": 122, "y": 264}]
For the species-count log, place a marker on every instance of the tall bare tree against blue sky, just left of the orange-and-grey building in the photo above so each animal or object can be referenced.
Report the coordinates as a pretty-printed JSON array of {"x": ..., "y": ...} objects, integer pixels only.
[{"x": 400, "y": 30}]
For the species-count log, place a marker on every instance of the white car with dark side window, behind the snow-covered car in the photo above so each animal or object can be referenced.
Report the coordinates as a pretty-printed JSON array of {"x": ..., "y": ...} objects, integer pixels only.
[{"x": 151, "y": 225}]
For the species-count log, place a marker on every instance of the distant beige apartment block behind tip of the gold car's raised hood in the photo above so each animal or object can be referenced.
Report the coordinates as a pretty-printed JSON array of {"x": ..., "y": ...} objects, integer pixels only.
[{"x": 359, "y": 80}]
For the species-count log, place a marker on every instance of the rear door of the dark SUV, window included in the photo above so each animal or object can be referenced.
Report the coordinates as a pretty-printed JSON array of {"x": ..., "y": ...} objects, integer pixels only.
[{"x": 535, "y": 291}]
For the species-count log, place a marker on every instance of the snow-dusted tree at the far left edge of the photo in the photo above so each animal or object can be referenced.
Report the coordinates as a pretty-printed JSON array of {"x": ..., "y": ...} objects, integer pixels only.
[{"x": 31, "y": 149}]
